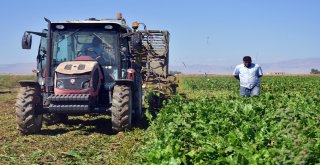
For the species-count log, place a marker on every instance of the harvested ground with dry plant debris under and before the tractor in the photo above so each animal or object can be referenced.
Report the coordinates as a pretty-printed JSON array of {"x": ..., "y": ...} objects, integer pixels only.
[{"x": 81, "y": 140}]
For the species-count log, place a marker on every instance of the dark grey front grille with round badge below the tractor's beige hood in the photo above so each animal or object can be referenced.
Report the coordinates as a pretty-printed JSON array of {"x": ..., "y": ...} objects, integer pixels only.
[{"x": 72, "y": 82}]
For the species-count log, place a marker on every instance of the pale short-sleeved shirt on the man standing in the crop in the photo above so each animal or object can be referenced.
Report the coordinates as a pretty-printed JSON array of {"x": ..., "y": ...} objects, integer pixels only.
[{"x": 249, "y": 77}]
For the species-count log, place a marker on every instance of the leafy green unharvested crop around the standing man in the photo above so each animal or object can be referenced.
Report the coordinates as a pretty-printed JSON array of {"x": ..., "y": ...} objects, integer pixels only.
[{"x": 282, "y": 126}]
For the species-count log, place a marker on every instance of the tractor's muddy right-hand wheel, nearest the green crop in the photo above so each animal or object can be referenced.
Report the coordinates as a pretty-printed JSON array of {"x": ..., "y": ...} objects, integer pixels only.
[{"x": 121, "y": 110}]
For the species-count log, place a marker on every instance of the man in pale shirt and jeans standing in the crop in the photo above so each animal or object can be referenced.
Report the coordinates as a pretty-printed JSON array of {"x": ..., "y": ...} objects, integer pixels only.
[{"x": 249, "y": 75}]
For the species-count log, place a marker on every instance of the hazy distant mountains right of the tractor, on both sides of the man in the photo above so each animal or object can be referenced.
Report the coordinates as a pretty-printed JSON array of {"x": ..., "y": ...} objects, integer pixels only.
[{"x": 295, "y": 66}]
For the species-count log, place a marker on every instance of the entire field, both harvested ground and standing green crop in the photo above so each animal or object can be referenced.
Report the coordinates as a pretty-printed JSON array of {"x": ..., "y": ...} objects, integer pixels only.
[{"x": 209, "y": 124}]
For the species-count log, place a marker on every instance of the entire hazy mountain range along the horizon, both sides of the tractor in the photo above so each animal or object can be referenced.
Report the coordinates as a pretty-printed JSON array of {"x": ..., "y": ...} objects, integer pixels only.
[{"x": 295, "y": 66}]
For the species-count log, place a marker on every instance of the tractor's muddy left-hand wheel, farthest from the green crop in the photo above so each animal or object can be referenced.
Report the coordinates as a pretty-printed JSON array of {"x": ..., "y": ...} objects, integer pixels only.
[{"x": 27, "y": 104}]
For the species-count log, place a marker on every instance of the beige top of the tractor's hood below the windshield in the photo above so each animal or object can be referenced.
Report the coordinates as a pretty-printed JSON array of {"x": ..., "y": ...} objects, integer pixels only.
[{"x": 76, "y": 67}]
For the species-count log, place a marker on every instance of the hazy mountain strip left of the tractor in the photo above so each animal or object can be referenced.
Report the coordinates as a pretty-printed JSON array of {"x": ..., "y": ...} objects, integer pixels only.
[{"x": 19, "y": 68}]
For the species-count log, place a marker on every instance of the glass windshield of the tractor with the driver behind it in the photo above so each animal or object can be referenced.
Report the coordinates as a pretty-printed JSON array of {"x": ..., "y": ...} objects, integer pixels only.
[{"x": 100, "y": 45}]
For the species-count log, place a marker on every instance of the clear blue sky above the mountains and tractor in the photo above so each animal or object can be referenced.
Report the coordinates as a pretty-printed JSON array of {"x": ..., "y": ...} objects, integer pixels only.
[{"x": 202, "y": 32}]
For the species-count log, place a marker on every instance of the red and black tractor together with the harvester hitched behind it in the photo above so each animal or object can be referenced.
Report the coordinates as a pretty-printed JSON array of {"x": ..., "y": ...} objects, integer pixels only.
[{"x": 92, "y": 66}]
